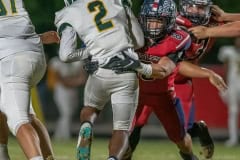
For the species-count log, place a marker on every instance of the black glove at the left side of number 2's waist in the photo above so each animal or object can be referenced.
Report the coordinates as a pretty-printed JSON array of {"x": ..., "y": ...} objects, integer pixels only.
[{"x": 90, "y": 66}]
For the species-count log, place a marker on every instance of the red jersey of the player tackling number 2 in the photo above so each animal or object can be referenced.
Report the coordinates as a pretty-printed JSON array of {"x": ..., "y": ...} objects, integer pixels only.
[{"x": 176, "y": 42}]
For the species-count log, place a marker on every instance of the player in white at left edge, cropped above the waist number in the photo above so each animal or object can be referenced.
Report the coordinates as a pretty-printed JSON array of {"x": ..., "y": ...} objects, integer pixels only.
[{"x": 22, "y": 66}]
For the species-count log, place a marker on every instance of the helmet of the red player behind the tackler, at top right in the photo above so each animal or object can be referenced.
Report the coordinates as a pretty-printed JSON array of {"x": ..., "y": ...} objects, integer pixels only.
[{"x": 197, "y": 11}]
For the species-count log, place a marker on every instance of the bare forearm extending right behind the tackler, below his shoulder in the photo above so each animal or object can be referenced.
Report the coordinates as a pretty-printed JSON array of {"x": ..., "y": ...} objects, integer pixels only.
[{"x": 193, "y": 71}]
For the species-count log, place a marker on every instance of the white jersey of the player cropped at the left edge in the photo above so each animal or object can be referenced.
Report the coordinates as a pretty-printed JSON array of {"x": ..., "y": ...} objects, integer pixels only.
[{"x": 17, "y": 33}]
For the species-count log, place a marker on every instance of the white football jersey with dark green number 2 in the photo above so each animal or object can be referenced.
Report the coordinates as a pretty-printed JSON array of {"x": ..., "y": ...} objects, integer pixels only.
[{"x": 101, "y": 24}]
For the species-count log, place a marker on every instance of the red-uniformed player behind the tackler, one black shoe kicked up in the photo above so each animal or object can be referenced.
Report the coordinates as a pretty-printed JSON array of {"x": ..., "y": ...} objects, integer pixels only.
[{"x": 194, "y": 13}]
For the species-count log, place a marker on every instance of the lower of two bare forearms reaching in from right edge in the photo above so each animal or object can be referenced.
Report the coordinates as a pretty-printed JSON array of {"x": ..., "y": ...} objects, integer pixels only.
[{"x": 226, "y": 30}]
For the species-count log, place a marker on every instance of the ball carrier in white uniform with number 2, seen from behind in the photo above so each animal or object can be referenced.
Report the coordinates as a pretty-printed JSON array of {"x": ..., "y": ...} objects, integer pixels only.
[{"x": 108, "y": 29}]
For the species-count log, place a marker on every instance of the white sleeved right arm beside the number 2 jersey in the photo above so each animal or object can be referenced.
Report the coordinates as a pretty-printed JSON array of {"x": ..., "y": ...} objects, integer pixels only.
[{"x": 135, "y": 29}]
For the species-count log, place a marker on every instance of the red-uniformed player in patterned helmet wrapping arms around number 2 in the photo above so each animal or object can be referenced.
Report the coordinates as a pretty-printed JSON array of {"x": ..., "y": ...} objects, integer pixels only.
[{"x": 157, "y": 18}]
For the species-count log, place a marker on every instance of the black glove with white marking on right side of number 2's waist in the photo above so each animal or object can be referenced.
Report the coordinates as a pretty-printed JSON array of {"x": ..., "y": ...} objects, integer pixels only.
[{"x": 128, "y": 64}]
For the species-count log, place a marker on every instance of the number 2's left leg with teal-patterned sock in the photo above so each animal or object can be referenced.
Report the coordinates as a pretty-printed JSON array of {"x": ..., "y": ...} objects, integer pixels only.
[{"x": 94, "y": 100}]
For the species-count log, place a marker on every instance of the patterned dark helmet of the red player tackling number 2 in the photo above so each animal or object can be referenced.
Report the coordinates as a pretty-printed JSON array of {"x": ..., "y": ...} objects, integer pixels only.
[{"x": 157, "y": 18}]
